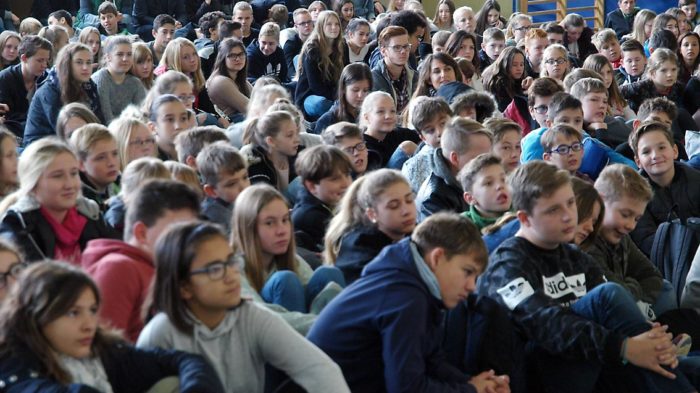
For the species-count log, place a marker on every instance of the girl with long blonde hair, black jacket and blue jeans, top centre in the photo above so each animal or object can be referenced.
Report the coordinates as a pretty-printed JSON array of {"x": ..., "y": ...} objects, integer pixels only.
[{"x": 321, "y": 65}]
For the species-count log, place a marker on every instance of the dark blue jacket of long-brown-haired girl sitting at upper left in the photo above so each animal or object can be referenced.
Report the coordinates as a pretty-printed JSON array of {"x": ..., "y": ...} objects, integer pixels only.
[{"x": 44, "y": 108}]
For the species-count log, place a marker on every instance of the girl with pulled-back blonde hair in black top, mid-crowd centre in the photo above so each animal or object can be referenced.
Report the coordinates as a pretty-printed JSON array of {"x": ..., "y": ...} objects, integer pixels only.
[{"x": 391, "y": 143}]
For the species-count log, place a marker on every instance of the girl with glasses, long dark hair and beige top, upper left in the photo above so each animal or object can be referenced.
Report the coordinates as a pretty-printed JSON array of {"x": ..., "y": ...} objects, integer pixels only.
[{"x": 228, "y": 88}]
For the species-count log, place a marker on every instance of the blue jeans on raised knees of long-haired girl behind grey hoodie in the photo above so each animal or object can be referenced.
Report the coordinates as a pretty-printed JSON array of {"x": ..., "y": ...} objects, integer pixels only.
[{"x": 285, "y": 289}]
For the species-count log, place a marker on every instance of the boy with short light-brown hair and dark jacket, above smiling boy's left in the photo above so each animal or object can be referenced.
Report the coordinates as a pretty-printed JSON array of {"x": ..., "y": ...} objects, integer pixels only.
[{"x": 594, "y": 99}]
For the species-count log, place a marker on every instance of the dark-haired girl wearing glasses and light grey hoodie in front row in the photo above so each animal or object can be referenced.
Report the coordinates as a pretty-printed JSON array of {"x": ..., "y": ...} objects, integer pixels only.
[{"x": 197, "y": 293}]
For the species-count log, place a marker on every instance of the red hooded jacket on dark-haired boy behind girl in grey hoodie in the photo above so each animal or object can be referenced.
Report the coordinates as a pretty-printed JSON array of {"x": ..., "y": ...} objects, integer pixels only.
[{"x": 124, "y": 274}]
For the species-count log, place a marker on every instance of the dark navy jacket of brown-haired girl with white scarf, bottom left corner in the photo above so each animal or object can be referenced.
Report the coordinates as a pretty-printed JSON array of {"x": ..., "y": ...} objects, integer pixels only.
[{"x": 128, "y": 369}]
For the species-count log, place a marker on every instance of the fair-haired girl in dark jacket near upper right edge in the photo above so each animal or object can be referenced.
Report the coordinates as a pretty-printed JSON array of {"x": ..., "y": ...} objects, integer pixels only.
[{"x": 661, "y": 80}]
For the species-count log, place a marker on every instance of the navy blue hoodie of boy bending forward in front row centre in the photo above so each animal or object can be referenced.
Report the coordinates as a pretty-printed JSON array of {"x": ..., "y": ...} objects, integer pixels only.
[{"x": 383, "y": 330}]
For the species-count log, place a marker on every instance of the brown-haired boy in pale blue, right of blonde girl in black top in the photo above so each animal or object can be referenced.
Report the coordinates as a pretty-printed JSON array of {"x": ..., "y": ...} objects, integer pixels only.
[{"x": 429, "y": 117}]
